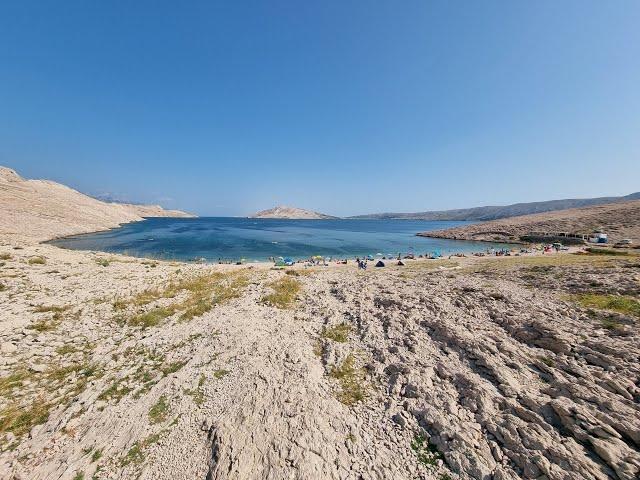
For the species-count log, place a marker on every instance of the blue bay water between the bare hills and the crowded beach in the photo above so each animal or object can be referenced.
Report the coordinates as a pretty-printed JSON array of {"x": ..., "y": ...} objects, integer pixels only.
[{"x": 213, "y": 238}]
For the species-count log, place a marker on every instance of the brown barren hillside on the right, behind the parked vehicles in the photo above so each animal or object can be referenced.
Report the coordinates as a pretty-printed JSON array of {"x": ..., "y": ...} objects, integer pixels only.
[{"x": 619, "y": 220}]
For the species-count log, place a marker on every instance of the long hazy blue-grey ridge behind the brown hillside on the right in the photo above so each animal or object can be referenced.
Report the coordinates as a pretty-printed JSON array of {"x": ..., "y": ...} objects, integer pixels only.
[{"x": 496, "y": 212}]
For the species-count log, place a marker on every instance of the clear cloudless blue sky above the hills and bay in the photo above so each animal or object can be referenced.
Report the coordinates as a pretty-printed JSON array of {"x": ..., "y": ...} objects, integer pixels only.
[{"x": 345, "y": 107}]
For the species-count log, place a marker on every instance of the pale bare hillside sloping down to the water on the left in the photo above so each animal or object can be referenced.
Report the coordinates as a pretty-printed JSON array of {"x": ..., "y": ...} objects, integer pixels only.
[{"x": 36, "y": 210}]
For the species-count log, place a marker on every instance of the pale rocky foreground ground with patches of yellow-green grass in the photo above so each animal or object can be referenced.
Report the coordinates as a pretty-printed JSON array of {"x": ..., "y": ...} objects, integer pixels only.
[{"x": 121, "y": 368}]
